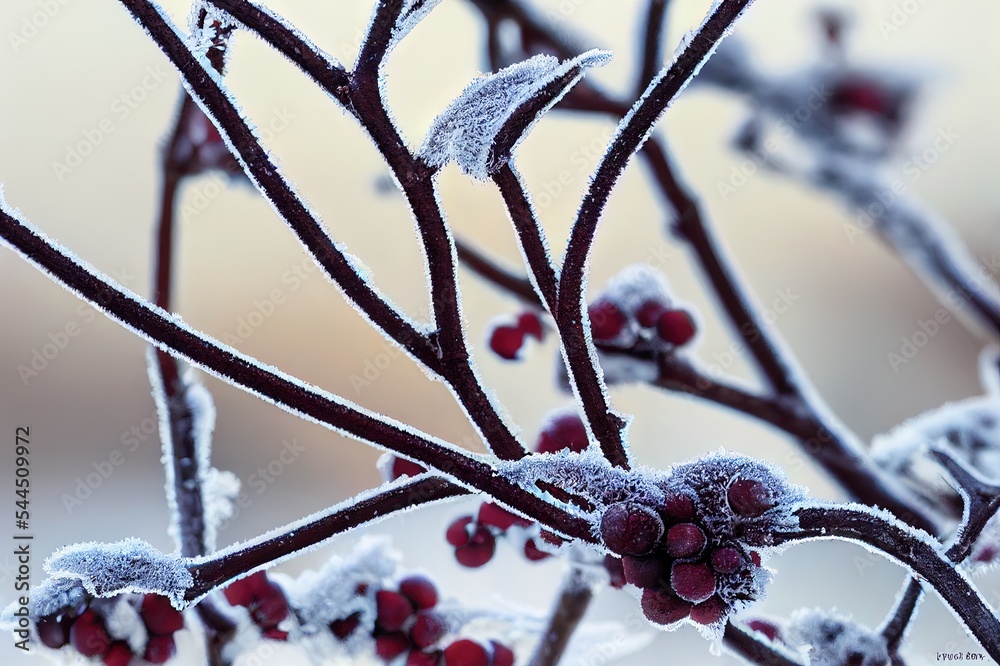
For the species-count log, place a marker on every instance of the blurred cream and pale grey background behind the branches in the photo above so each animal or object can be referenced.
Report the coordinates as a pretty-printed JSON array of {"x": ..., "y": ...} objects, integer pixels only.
[{"x": 856, "y": 301}]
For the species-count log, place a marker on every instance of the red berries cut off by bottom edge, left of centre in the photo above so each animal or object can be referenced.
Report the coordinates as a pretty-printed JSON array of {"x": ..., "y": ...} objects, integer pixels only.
[{"x": 406, "y": 623}]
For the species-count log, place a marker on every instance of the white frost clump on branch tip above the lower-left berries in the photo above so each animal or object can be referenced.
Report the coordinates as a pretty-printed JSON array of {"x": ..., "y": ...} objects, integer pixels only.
[{"x": 107, "y": 569}]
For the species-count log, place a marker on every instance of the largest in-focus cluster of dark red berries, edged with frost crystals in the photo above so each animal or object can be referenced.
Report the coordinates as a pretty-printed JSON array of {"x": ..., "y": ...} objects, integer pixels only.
[{"x": 685, "y": 568}]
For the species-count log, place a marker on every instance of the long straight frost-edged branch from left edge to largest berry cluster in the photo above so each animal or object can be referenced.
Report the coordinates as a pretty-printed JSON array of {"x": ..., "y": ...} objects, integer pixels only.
[{"x": 336, "y": 413}]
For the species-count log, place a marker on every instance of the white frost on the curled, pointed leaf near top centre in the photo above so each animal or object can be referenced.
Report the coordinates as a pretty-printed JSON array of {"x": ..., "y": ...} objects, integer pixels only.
[{"x": 466, "y": 130}]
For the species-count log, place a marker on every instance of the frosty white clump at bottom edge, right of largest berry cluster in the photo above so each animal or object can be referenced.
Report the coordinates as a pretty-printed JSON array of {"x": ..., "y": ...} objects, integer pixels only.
[{"x": 834, "y": 640}]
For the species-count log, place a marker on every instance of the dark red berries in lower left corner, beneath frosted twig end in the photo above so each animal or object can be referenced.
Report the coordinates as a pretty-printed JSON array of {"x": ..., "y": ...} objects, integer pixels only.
[{"x": 85, "y": 629}]
